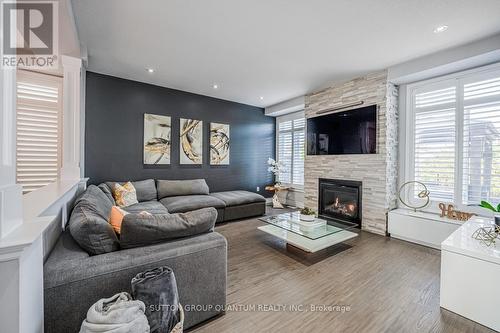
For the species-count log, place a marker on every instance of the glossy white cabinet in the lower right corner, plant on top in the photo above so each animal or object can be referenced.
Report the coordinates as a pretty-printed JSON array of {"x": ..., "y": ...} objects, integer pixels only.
[{"x": 470, "y": 272}]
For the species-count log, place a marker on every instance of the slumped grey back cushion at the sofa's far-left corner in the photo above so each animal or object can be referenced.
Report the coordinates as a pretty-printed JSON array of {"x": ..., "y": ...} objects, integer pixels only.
[{"x": 89, "y": 225}]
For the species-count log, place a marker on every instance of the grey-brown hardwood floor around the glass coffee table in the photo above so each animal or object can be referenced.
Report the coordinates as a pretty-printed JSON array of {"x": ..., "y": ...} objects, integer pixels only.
[{"x": 388, "y": 285}]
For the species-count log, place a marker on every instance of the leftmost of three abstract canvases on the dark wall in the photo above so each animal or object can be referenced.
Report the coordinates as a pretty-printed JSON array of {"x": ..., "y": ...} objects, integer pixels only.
[{"x": 157, "y": 139}]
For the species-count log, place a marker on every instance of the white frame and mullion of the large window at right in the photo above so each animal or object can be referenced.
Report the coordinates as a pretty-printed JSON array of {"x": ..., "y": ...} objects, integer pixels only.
[{"x": 459, "y": 79}]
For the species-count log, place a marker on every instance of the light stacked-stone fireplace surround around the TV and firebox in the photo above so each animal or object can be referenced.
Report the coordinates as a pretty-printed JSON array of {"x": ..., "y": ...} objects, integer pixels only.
[{"x": 377, "y": 172}]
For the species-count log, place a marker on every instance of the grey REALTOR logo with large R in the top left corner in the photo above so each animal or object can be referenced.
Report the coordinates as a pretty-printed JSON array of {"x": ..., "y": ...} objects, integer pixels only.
[{"x": 30, "y": 34}]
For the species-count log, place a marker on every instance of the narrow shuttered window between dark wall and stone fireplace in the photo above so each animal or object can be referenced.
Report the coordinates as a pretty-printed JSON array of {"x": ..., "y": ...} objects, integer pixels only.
[{"x": 291, "y": 148}]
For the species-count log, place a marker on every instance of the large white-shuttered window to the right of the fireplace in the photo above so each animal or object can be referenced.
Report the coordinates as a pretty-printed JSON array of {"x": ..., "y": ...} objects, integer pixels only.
[{"x": 455, "y": 124}]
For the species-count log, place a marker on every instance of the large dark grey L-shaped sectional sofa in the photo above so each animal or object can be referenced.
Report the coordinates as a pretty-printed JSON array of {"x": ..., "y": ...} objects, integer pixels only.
[{"x": 74, "y": 279}]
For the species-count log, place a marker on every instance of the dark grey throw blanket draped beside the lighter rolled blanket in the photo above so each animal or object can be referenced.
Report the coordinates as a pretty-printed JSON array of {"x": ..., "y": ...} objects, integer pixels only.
[{"x": 158, "y": 290}]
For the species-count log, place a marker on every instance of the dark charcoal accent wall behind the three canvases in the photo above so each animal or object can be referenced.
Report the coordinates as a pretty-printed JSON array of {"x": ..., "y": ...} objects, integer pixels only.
[{"x": 114, "y": 129}]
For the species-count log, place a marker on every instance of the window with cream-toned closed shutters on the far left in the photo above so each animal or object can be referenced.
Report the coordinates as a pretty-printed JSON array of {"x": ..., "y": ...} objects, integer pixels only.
[{"x": 38, "y": 129}]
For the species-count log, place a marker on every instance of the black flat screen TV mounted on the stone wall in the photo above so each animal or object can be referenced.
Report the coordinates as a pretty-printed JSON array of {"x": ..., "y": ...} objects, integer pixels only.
[{"x": 345, "y": 132}]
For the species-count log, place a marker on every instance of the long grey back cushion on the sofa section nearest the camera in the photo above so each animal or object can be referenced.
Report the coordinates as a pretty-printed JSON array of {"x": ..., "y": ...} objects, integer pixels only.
[{"x": 138, "y": 230}]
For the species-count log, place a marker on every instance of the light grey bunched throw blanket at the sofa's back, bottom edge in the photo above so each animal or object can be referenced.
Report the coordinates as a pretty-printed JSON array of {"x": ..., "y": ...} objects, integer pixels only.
[{"x": 117, "y": 314}]
